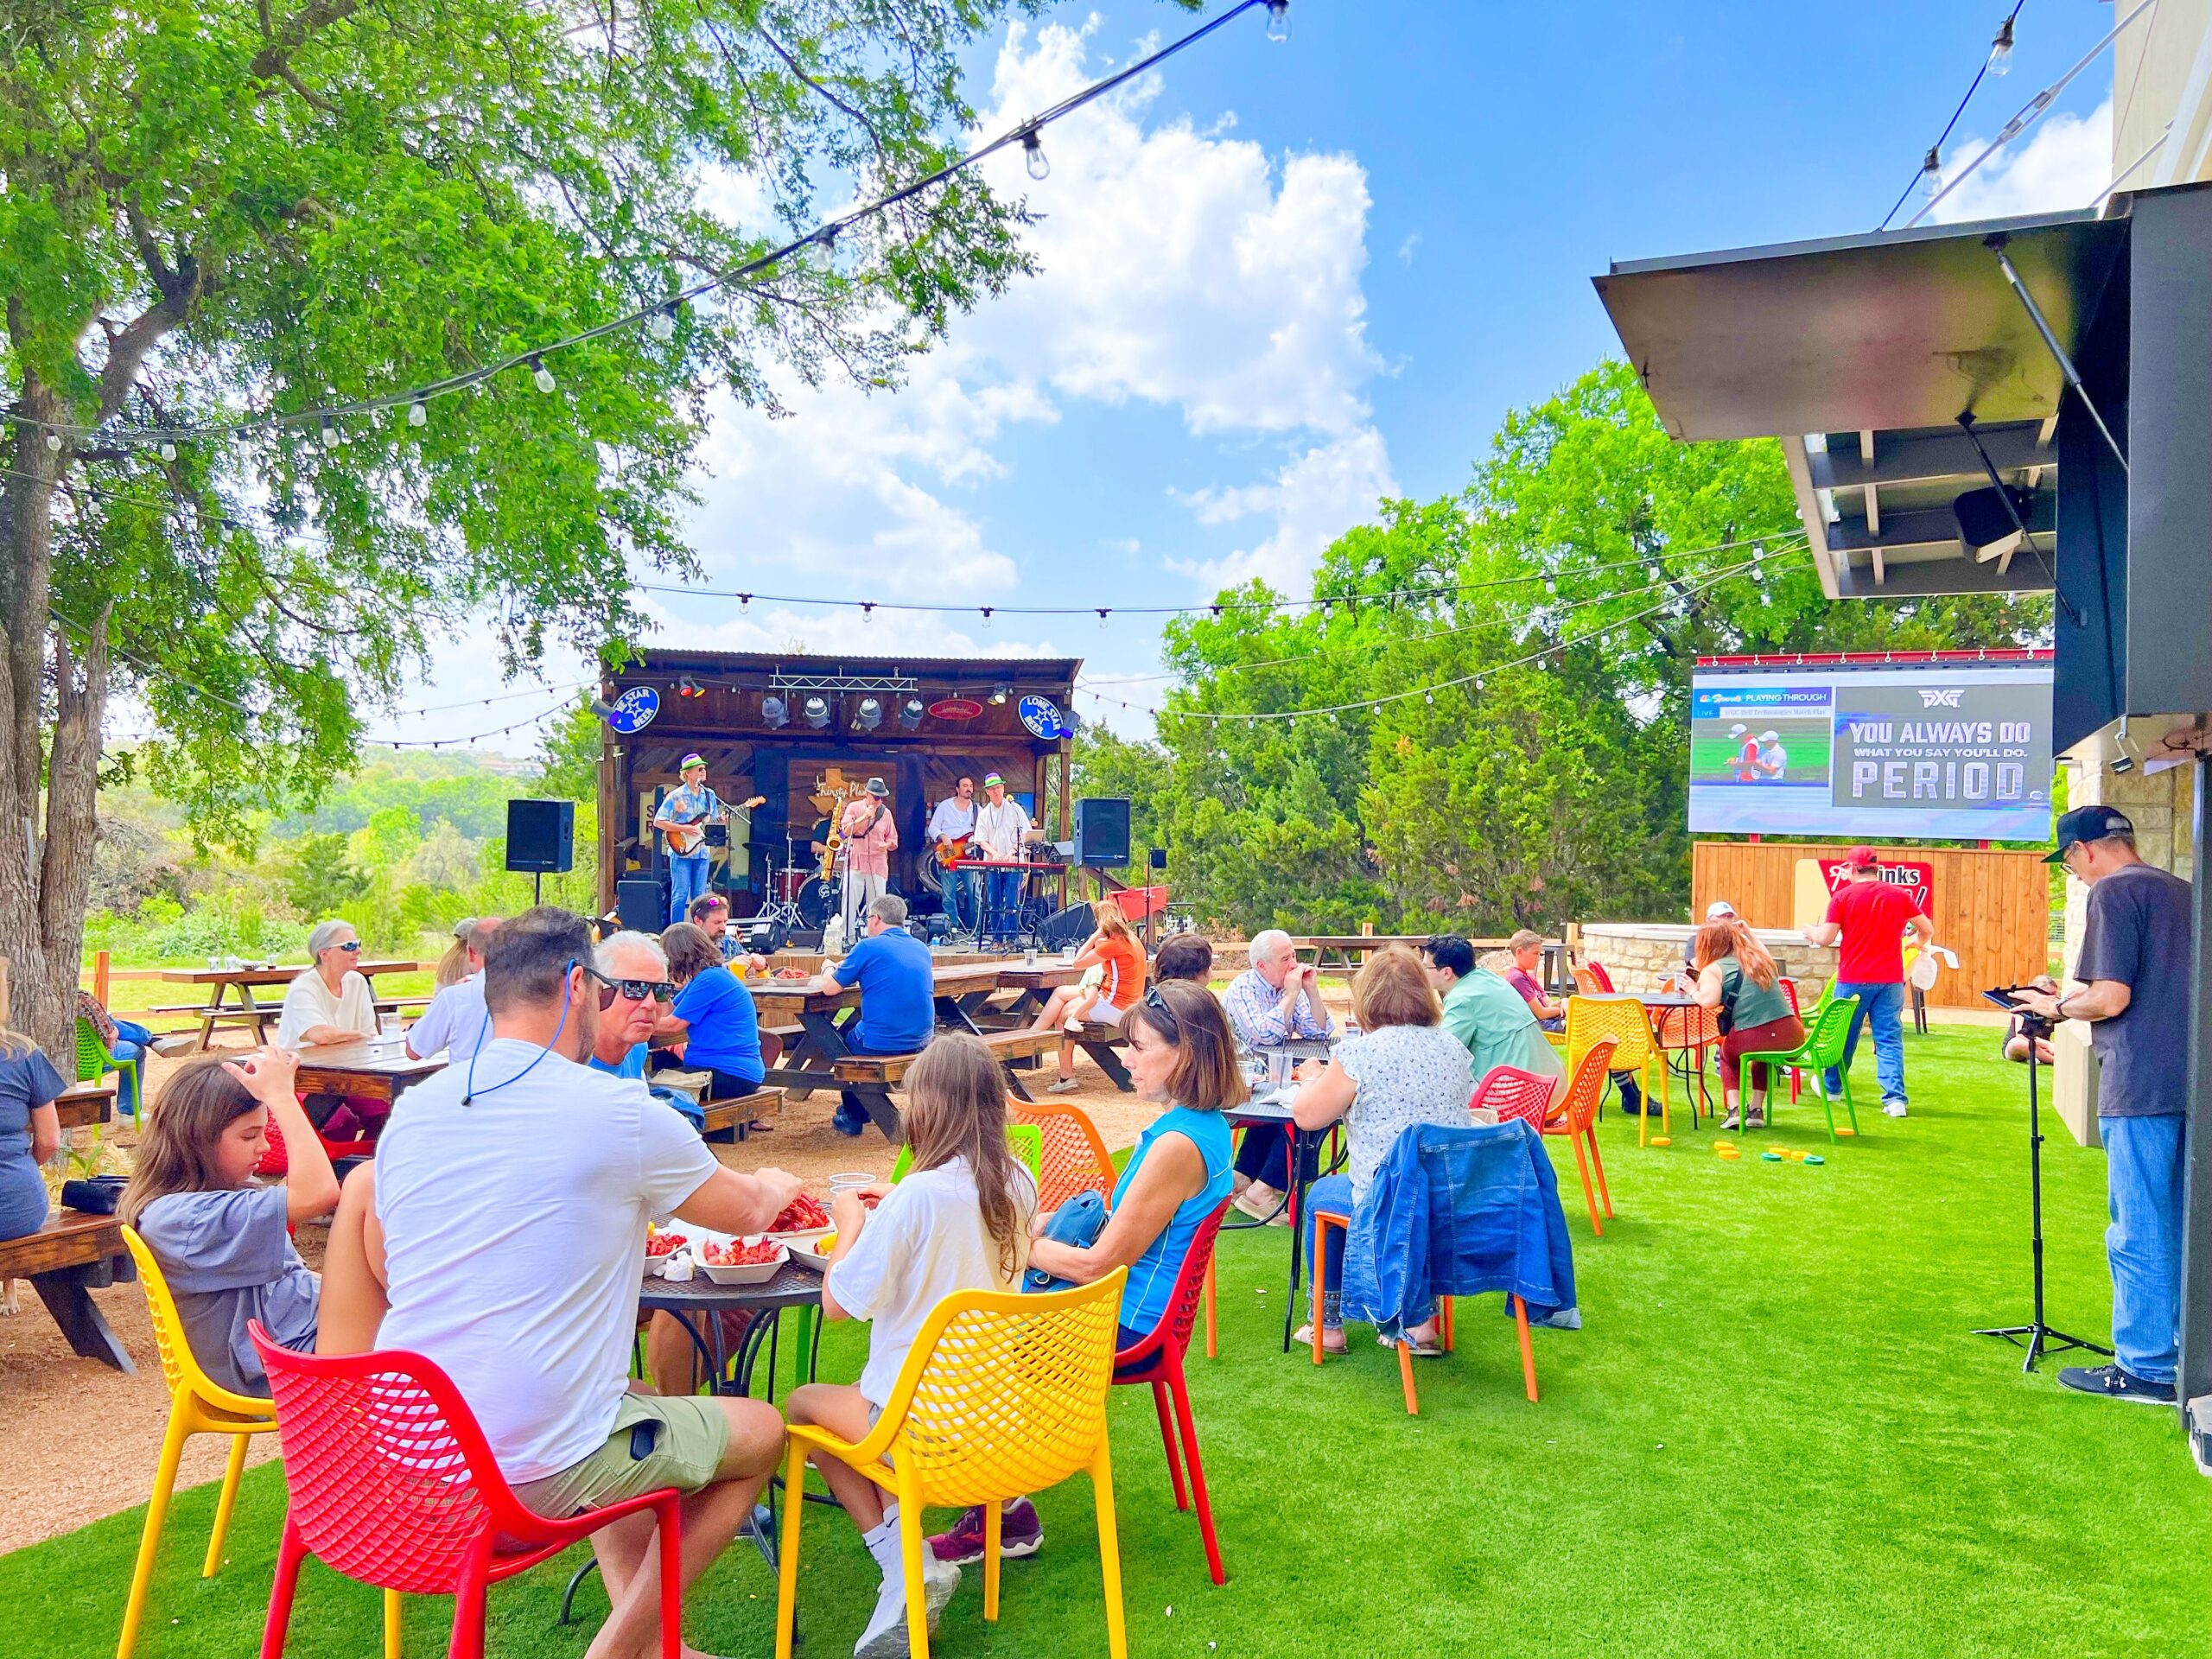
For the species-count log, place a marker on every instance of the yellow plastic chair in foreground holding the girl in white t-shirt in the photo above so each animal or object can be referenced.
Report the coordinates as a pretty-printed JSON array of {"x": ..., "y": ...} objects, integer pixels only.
[{"x": 1003, "y": 1395}]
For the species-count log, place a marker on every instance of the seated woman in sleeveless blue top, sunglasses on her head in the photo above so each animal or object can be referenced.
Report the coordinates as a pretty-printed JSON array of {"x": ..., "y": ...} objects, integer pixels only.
[{"x": 1182, "y": 1056}]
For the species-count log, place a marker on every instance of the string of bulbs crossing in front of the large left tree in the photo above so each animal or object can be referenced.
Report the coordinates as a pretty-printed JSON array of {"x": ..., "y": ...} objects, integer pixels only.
[{"x": 474, "y": 379}]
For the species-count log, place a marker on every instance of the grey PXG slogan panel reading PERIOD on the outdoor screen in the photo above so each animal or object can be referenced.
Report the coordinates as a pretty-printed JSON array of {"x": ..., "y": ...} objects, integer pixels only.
[{"x": 1919, "y": 749}]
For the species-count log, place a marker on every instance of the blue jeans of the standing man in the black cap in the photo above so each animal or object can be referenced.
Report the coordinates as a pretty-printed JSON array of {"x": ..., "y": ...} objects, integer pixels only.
[{"x": 2145, "y": 1160}]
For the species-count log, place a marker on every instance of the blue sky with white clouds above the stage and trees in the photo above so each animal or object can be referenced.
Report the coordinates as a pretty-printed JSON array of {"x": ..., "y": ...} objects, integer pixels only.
[{"x": 1286, "y": 280}]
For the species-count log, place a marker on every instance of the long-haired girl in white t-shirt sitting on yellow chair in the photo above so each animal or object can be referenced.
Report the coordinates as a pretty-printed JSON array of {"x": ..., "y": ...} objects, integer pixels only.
[{"x": 959, "y": 1222}]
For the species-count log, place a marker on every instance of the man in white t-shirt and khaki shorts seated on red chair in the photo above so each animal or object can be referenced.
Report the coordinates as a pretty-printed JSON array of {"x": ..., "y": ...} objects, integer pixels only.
[{"x": 508, "y": 1231}]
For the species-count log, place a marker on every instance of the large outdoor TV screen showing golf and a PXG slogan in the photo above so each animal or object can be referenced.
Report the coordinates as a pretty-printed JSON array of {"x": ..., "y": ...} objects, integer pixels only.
[{"x": 1899, "y": 753}]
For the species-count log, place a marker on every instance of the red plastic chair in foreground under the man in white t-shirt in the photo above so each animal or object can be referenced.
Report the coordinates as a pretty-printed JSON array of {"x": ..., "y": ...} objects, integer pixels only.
[{"x": 393, "y": 1485}]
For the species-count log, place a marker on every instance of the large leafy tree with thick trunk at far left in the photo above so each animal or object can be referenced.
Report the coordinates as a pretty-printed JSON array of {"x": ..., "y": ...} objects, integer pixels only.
[{"x": 227, "y": 216}]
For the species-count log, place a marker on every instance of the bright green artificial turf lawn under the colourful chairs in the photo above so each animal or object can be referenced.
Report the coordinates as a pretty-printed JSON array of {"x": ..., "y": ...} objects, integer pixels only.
[{"x": 1773, "y": 1437}]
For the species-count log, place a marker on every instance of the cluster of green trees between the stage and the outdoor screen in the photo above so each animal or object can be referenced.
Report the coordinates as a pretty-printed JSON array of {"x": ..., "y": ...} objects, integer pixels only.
[{"x": 1556, "y": 609}]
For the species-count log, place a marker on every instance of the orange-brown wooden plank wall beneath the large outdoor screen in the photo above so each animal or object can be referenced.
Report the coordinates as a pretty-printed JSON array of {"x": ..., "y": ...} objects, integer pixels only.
[{"x": 1992, "y": 908}]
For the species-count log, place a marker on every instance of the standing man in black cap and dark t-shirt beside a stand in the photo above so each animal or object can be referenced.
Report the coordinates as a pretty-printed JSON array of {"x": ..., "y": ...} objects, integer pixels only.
[{"x": 2136, "y": 994}]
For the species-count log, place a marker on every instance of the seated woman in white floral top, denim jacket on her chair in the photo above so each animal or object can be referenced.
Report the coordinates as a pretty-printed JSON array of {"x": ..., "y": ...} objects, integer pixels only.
[{"x": 1401, "y": 1072}]
